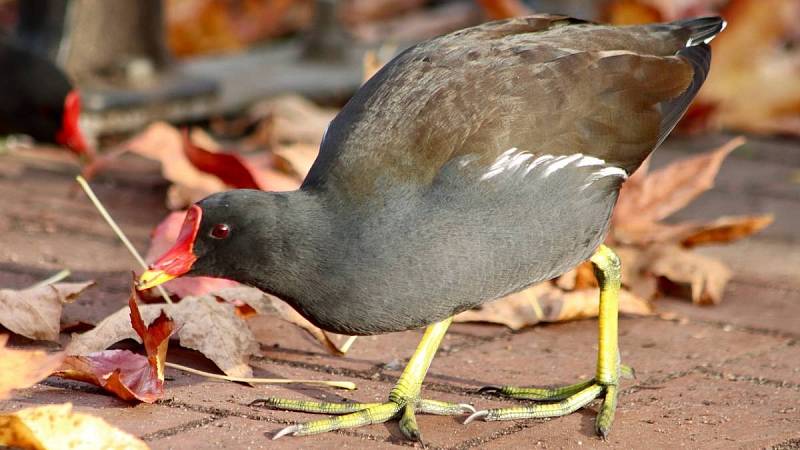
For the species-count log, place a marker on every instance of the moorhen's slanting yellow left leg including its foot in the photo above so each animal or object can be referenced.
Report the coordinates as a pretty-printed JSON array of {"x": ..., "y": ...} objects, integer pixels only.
[{"x": 404, "y": 398}]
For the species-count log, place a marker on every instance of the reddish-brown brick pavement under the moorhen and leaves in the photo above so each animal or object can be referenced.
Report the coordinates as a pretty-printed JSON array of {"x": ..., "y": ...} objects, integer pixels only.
[{"x": 719, "y": 377}]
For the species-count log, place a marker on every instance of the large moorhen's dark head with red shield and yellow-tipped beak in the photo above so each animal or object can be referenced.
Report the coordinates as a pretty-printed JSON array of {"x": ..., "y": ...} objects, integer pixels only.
[{"x": 220, "y": 234}]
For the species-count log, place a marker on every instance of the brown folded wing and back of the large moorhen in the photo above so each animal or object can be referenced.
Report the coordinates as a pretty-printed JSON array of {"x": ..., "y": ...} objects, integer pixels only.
[{"x": 544, "y": 84}]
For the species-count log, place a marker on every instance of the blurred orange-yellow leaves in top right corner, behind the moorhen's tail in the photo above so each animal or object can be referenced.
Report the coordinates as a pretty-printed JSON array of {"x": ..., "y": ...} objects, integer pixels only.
[{"x": 754, "y": 84}]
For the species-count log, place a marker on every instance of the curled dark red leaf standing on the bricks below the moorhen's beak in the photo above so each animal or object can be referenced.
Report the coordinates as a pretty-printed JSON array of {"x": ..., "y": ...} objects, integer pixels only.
[{"x": 128, "y": 375}]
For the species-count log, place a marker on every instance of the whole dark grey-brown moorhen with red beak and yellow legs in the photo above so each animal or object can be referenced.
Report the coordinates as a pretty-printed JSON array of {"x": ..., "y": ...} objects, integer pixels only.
[{"x": 471, "y": 166}]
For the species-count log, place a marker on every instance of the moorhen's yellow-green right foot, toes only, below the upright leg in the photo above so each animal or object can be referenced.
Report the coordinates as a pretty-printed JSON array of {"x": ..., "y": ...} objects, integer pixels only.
[{"x": 558, "y": 401}]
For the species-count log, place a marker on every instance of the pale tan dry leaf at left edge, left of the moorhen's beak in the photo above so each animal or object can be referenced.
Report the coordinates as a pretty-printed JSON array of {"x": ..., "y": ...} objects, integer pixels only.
[{"x": 36, "y": 312}]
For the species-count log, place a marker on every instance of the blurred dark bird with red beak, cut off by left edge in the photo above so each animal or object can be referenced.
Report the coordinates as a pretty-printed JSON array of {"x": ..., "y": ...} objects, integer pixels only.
[{"x": 38, "y": 99}]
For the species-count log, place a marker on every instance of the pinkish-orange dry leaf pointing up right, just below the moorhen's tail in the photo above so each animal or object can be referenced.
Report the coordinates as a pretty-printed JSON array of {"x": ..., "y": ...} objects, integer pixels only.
[{"x": 671, "y": 188}]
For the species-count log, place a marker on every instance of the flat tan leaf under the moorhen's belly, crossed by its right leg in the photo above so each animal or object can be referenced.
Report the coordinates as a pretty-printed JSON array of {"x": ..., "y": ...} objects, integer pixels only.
[{"x": 547, "y": 303}]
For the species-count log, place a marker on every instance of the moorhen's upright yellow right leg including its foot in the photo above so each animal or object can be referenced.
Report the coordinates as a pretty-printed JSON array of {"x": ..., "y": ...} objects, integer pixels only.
[{"x": 567, "y": 399}]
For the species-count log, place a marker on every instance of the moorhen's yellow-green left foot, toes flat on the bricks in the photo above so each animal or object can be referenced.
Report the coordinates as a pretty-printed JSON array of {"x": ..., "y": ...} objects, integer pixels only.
[{"x": 359, "y": 414}]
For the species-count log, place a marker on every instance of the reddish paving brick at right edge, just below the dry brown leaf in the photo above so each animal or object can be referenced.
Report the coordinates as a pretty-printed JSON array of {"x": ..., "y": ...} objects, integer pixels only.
[{"x": 747, "y": 305}]
